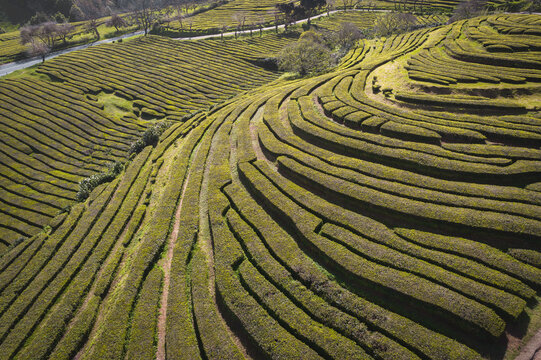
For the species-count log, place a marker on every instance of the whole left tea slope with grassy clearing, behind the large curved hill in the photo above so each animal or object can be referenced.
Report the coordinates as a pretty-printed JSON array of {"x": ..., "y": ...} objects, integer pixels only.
[{"x": 55, "y": 134}]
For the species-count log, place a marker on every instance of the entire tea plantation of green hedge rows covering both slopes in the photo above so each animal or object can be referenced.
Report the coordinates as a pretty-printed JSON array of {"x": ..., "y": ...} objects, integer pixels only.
[{"x": 387, "y": 209}]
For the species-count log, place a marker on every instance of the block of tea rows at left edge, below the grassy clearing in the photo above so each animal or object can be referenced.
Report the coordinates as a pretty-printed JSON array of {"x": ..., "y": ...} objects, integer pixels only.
[{"x": 40, "y": 175}]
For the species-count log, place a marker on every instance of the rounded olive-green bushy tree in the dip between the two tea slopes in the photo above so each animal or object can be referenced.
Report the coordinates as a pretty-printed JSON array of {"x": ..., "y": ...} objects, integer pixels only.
[{"x": 305, "y": 56}]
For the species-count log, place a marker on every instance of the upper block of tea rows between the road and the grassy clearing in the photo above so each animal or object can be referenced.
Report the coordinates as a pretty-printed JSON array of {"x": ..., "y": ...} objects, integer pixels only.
[{"x": 172, "y": 77}]
